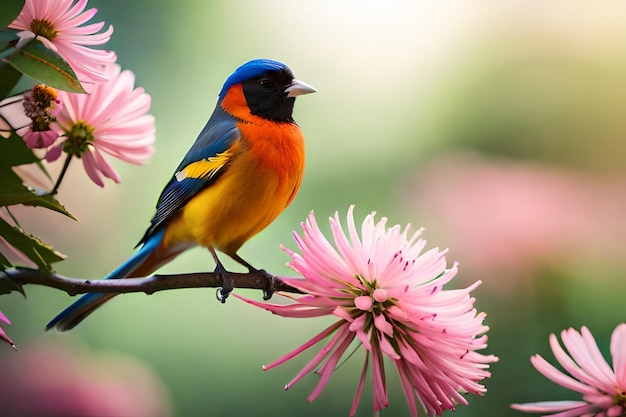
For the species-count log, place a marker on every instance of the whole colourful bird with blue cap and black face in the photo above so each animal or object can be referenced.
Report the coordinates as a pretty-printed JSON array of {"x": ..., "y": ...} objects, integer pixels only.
[{"x": 242, "y": 171}]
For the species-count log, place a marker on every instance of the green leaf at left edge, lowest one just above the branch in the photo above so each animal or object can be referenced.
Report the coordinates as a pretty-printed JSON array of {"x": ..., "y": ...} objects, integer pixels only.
[{"x": 35, "y": 249}]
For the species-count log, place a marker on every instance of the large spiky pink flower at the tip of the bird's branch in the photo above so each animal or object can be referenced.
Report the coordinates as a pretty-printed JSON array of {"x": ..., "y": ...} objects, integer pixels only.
[{"x": 387, "y": 295}]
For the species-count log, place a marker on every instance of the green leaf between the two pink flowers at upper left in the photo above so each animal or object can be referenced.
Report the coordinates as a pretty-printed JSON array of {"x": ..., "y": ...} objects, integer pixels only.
[{"x": 45, "y": 65}]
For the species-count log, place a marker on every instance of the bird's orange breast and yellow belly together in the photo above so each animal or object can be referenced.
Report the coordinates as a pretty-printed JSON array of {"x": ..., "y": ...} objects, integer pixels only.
[{"x": 258, "y": 183}]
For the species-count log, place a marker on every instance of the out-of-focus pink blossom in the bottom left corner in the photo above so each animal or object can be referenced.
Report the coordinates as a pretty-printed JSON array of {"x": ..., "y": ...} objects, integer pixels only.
[{"x": 49, "y": 379}]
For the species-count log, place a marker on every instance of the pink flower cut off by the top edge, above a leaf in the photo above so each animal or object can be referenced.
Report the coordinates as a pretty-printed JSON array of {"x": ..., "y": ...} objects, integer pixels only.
[{"x": 57, "y": 24}]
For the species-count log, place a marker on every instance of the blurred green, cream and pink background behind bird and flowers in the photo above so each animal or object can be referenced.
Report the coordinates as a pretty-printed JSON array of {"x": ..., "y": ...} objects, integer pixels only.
[{"x": 496, "y": 125}]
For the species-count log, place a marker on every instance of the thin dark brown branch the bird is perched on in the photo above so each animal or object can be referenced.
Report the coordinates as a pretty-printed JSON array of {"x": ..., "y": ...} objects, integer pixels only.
[{"x": 148, "y": 285}]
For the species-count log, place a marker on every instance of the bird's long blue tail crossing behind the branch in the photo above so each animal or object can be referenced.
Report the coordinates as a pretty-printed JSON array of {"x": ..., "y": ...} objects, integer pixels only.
[{"x": 81, "y": 308}]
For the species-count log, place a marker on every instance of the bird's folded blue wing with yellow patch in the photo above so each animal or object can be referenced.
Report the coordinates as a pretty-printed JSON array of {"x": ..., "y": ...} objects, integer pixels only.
[{"x": 202, "y": 165}]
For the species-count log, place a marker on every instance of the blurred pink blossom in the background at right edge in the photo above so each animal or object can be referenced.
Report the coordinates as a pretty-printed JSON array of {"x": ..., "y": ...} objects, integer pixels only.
[{"x": 518, "y": 215}]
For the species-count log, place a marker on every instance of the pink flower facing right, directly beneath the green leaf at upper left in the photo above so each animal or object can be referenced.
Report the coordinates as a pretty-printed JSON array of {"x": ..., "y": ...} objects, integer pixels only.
[{"x": 111, "y": 119}]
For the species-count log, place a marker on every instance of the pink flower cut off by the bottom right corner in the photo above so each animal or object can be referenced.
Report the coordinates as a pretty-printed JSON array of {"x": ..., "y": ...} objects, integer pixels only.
[{"x": 603, "y": 388}]
